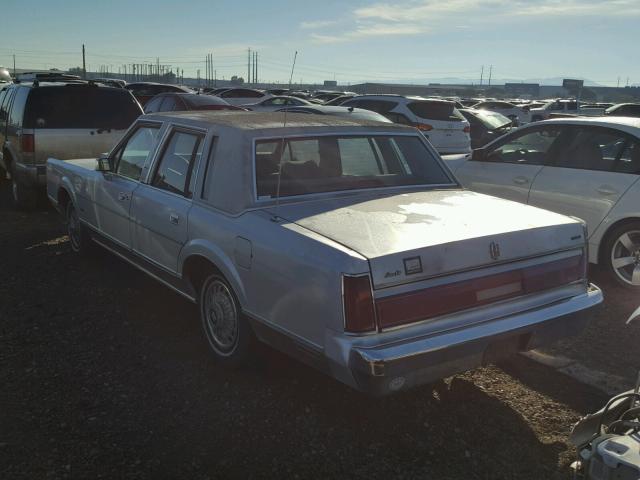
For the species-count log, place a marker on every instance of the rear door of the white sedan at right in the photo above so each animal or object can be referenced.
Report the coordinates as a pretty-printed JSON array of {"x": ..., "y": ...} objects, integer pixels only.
[{"x": 589, "y": 174}]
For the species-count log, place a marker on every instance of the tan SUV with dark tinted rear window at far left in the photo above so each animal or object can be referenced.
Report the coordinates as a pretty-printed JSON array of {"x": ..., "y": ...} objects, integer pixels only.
[{"x": 61, "y": 119}]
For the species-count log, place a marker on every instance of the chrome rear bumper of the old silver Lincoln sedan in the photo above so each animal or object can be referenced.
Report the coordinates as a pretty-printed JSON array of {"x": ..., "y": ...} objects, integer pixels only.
[{"x": 384, "y": 369}]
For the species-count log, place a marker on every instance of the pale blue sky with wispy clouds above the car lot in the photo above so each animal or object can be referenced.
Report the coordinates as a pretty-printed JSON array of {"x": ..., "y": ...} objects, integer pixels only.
[{"x": 394, "y": 40}]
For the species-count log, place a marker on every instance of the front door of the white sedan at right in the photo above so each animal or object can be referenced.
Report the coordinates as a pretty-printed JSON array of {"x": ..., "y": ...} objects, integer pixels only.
[{"x": 508, "y": 167}]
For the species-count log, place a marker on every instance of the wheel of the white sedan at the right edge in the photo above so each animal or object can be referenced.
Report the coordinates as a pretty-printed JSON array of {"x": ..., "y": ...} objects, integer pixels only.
[{"x": 621, "y": 255}]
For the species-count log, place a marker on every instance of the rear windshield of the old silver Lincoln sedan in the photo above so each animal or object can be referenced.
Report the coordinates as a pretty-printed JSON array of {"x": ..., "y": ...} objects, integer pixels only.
[{"x": 327, "y": 164}]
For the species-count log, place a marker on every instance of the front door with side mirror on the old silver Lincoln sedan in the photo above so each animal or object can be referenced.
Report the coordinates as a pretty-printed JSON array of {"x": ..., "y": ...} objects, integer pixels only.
[{"x": 115, "y": 190}]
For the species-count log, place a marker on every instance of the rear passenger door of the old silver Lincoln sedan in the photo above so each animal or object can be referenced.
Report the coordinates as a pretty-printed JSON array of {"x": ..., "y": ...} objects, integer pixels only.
[{"x": 160, "y": 207}]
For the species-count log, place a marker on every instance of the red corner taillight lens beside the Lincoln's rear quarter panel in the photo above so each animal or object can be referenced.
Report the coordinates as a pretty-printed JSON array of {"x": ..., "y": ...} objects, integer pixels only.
[{"x": 359, "y": 314}]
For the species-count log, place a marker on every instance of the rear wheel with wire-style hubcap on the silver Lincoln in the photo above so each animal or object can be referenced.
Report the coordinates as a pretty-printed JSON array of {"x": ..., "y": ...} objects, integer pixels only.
[{"x": 226, "y": 328}]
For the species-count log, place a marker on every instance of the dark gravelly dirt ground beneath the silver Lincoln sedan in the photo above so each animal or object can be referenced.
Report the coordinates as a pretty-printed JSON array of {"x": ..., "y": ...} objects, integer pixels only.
[{"x": 104, "y": 374}]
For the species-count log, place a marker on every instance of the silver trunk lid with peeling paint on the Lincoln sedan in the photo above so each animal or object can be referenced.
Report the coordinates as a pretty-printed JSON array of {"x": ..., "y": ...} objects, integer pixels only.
[{"x": 449, "y": 230}]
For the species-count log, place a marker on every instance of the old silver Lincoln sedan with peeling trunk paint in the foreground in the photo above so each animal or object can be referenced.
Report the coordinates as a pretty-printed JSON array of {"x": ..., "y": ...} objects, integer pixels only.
[{"x": 348, "y": 245}]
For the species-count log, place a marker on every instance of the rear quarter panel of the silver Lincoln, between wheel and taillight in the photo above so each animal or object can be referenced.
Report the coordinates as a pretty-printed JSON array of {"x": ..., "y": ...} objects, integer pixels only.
[{"x": 293, "y": 278}]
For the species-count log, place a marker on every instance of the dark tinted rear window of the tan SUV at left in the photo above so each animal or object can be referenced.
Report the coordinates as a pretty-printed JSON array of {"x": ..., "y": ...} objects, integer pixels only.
[{"x": 80, "y": 107}]
